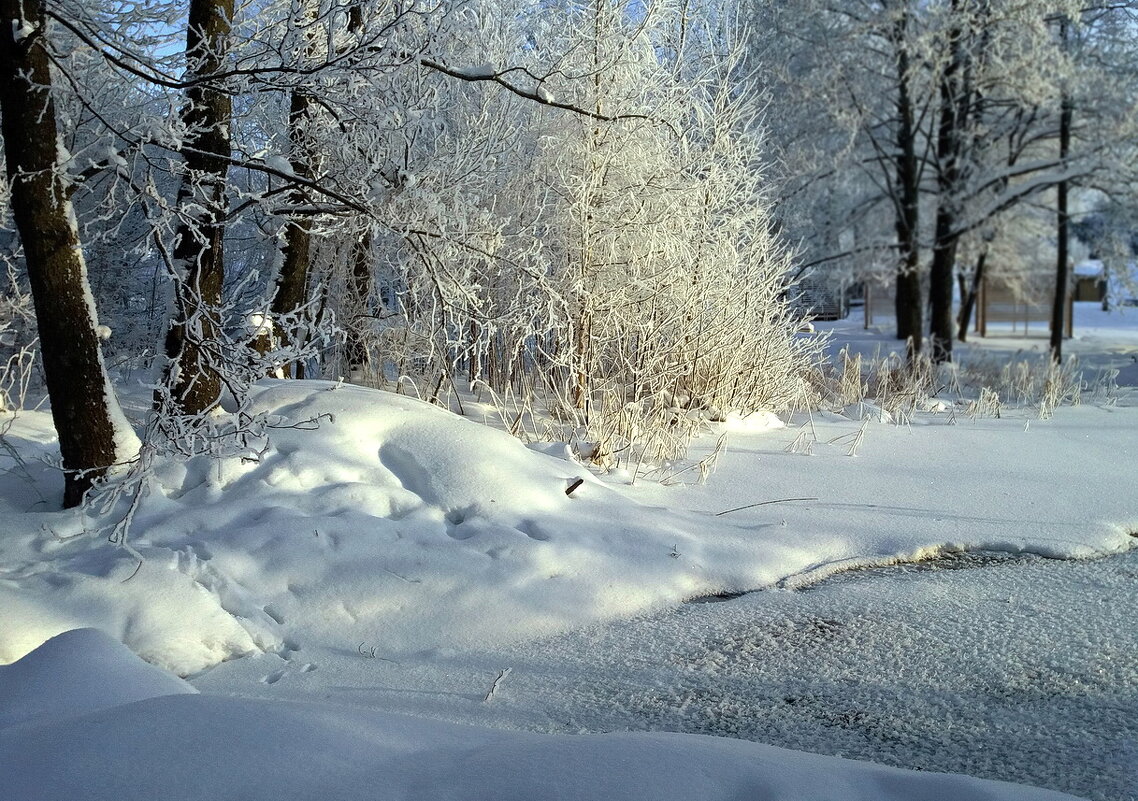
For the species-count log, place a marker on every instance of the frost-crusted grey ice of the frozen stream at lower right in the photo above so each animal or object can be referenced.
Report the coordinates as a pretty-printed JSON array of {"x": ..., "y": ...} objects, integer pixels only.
[{"x": 1025, "y": 671}]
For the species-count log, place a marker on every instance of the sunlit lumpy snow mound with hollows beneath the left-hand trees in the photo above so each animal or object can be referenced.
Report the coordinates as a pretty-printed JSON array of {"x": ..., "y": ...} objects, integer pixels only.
[{"x": 367, "y": 517}]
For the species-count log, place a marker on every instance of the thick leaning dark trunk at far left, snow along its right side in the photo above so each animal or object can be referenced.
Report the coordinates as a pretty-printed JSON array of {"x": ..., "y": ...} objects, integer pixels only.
[{"x": 81, "y": 402}]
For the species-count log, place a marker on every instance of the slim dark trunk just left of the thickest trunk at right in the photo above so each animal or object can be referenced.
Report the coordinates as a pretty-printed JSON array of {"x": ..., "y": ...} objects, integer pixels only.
[{"x": 909, "y": 300}]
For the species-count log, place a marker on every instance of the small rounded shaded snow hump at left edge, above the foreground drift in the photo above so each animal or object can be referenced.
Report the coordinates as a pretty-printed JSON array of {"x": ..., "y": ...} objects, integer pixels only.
[{"x": 79, "y": 672}]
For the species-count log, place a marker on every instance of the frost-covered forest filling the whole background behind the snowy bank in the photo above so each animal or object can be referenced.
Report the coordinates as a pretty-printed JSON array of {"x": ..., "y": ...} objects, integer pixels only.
[{"x": 595, "y": 216}]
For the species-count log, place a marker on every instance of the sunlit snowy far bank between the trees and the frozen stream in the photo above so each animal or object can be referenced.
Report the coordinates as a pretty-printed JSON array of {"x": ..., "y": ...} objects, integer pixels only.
[{"x": 372, "y": 518}]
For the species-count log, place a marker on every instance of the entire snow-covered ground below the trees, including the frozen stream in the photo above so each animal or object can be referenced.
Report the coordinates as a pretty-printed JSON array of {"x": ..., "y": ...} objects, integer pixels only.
[{"x": 393, "y": 558}]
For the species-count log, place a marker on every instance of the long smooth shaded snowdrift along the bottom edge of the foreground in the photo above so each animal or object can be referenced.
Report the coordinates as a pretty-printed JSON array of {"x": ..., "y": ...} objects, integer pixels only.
[{"x": 185, "y": 748}]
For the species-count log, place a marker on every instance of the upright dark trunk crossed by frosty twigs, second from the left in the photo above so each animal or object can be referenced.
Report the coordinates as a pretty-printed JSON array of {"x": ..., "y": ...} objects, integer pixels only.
[{"x": 199, "y": 242}]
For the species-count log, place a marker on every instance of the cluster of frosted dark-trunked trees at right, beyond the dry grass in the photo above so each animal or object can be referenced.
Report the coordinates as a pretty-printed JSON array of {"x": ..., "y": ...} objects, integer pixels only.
[{"x": 952, "y": 106}]
